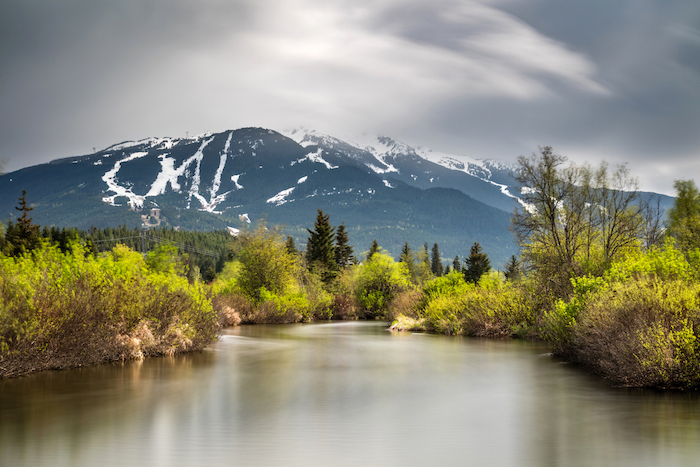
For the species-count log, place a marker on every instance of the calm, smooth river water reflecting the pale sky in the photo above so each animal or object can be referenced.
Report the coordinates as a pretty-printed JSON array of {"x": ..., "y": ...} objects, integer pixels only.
[{"x": 343, "y": 394}]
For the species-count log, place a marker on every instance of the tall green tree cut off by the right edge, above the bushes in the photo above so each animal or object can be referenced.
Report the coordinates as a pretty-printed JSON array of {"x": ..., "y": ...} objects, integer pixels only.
[{"x": 683, "y": 220}]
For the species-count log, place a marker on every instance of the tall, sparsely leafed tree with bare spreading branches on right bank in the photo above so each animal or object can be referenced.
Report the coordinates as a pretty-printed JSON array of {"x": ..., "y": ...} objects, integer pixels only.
[{"x": 574, "y": 219}]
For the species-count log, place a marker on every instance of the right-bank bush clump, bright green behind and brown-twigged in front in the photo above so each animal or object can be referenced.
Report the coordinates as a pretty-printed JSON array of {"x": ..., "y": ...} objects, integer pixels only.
[{"x": 638, "y": 323}]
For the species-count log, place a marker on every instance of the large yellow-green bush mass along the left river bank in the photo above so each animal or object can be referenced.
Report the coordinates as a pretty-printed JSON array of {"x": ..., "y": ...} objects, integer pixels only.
[{"x": 63, "y": 309}]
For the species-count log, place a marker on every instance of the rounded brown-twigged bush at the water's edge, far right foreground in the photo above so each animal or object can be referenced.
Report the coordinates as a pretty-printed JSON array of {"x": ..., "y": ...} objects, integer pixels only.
[{"x": 642, "y": 333}]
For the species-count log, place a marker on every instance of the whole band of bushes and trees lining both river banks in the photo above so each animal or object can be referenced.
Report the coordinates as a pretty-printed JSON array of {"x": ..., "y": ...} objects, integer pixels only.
[{"x": 600, "y": 277}]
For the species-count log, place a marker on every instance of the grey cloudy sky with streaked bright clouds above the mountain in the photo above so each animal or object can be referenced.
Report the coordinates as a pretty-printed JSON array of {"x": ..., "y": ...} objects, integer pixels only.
[{"x": 596, "y": 79}]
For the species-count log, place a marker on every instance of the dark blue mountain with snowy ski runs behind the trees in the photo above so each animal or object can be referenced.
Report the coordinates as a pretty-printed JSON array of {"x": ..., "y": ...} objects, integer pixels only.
[{"x": 380, "y": 188}]
